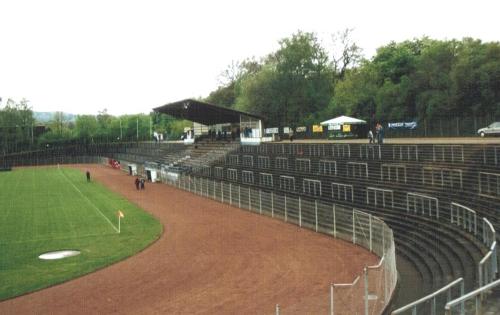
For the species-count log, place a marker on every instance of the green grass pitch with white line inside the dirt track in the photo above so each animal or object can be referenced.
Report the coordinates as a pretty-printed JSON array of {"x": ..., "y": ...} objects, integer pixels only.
[{"x": 47, "y": 209}]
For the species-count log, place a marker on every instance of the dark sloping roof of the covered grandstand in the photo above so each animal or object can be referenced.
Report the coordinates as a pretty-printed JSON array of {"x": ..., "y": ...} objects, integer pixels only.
[{"x": 203, "y": 113}]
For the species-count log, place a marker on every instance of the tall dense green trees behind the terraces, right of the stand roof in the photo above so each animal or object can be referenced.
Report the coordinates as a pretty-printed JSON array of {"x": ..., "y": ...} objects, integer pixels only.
[{"x": 303, "y": 83}]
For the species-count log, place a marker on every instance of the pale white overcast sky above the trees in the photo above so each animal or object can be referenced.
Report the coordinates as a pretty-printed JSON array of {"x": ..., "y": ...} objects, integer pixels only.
[{"x": 130, "y": 56}]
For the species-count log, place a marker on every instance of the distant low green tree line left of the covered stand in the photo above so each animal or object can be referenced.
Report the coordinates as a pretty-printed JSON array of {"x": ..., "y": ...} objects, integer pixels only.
[{"x": 20, "y": 131}]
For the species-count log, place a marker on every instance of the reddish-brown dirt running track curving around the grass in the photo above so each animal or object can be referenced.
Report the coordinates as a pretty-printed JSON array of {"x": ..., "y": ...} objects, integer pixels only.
[{"x": 211, "y": 259}]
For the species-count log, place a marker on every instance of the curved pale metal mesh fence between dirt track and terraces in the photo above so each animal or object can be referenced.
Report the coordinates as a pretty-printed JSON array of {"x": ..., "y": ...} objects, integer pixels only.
[{"x": 373, "y": 291}]
